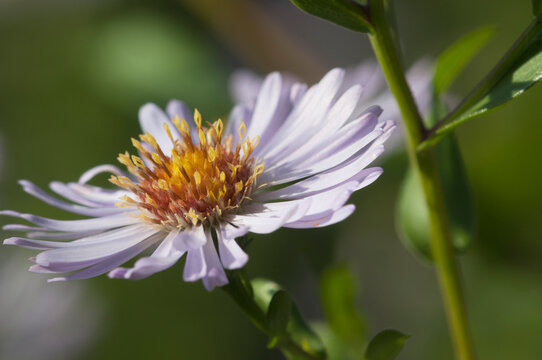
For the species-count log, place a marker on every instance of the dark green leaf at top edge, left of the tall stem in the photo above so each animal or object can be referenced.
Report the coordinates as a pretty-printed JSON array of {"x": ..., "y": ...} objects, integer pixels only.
[{"x": 346, "y": 13}]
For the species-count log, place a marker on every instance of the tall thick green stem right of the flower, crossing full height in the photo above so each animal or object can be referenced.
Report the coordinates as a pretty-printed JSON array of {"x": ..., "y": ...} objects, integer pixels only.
[{"x": 425, "y": 164}]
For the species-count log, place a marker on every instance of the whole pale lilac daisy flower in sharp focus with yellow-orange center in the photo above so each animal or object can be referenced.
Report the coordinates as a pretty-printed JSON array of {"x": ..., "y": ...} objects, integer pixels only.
[{"x": 291, "y": 158}]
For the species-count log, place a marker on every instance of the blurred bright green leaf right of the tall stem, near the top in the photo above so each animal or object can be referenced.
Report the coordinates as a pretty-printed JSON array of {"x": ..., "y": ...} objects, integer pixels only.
[{"x": 452, "y": 61}]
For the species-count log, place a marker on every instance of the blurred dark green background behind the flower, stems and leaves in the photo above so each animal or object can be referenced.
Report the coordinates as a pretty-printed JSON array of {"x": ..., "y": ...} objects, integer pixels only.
[{"x": 72, "y": 77}]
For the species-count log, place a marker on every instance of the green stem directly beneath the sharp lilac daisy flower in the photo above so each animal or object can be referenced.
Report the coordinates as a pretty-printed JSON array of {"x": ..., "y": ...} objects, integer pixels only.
[{"x": 240, "y": 290}]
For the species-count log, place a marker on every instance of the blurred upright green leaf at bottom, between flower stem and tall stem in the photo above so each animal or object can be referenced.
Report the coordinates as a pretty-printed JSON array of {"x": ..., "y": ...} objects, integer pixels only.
[{"x": 338, "y": 299}]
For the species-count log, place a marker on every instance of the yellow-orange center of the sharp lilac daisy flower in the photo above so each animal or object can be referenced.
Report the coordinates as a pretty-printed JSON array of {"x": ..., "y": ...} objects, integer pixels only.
[{"x": 196, "y": 183}]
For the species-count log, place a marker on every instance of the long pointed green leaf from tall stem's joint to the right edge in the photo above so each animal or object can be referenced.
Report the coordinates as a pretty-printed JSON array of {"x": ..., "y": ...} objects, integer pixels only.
[{"x": 517, "y": 71}]
